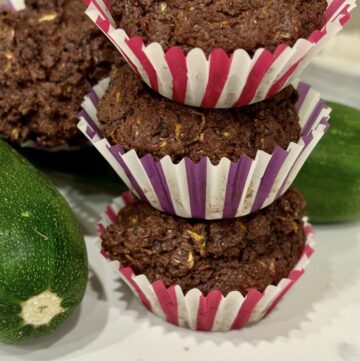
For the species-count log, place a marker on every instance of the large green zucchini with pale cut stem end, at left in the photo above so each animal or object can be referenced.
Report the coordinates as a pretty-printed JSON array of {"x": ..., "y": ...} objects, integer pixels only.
[{"x": 43, "y": 260}]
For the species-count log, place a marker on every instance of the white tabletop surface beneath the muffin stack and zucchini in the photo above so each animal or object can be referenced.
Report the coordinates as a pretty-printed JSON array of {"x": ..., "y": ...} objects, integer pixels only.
[{"x": 318, "y": 320}]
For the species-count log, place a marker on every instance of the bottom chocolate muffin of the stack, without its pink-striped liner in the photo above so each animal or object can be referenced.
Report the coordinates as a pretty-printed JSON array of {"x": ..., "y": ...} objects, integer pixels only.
[{"x": 228, "y": 255}]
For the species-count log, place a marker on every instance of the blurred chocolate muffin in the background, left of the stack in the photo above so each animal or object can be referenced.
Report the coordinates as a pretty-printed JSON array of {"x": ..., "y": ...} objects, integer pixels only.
[{"x": 51, "y": 55}]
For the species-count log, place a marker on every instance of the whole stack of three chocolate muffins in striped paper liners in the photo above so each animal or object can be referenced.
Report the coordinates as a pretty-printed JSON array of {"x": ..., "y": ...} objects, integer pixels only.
[{"x": 213, "y": 238}]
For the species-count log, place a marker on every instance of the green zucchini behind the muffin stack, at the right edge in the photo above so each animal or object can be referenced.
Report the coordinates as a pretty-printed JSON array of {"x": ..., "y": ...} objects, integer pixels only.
[{"x": 330, "y": 179}]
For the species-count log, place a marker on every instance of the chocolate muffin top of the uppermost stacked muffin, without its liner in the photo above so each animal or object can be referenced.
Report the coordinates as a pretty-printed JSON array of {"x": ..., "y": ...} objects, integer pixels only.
[{"x": 209, "y": 24}]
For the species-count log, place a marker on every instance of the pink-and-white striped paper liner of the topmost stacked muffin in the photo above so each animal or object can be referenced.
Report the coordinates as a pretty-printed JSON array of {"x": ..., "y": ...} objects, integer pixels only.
[{"x": 219, "y": 81}]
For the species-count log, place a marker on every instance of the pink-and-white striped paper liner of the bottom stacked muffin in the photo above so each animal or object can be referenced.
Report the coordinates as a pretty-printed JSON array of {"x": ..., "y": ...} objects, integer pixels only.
[{"x": 213, "y": 312}]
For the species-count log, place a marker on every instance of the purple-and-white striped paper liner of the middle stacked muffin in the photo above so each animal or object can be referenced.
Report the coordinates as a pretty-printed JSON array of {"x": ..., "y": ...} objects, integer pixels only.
[{"x": 206, "y": 191}]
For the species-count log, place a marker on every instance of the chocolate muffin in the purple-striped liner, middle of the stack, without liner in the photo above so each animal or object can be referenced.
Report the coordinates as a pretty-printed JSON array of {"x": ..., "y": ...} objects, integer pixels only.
[{"x": 136, "y": 117}]
